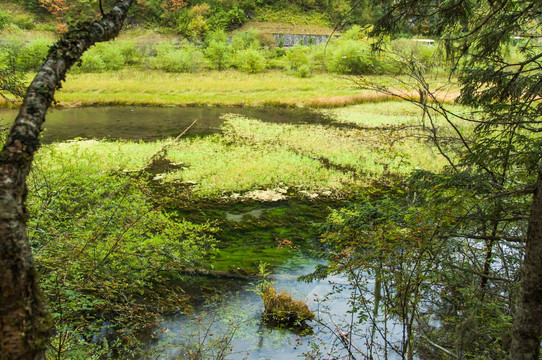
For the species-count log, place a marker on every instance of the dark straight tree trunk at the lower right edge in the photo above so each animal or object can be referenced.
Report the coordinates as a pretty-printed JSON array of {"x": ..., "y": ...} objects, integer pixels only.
[{"x": 528, "y": 317}]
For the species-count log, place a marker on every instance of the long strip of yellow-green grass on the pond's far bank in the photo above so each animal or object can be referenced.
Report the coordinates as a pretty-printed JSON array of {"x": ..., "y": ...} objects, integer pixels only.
[{"x": 211, "y": 88}]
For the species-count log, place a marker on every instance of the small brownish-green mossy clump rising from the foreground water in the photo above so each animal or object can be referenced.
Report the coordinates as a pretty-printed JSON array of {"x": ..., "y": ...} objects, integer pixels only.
[{"x": 281, "y": 310}]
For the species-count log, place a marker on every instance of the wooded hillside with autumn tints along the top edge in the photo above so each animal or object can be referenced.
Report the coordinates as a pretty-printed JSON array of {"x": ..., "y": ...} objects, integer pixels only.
[{"x": 193, "y": 19}]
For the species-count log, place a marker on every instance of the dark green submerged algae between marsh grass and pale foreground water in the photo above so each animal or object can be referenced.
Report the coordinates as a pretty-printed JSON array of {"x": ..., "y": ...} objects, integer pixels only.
[{"x": 254, "y": 232}]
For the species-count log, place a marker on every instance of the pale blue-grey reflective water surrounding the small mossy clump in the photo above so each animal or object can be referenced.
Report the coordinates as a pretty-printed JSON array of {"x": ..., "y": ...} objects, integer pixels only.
[{"x": 238, "y": 313}]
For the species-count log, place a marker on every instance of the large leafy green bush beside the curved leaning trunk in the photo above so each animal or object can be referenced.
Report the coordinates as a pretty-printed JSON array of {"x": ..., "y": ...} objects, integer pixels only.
[{"x": 104, "y": 253}]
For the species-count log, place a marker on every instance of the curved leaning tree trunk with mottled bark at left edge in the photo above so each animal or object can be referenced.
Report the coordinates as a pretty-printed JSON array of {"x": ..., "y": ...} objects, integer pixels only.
[{"x": 25, "y": 326}]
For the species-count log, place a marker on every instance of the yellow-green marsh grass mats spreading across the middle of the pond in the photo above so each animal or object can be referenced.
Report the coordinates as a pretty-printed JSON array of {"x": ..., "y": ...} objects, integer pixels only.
[{"x": 250, "y": 154}]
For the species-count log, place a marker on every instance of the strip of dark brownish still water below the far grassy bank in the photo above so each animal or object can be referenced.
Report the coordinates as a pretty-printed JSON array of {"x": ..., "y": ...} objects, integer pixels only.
[{"x": 152, "y": 123}]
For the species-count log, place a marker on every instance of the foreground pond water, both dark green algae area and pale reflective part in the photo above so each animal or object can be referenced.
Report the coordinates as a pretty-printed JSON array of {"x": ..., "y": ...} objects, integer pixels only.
[{"x": 230, "y": 308}]
